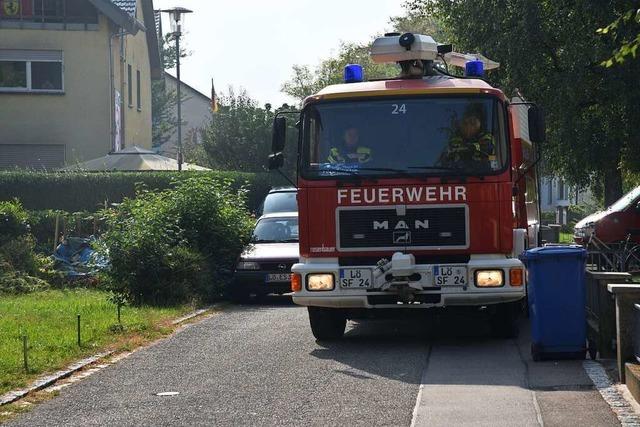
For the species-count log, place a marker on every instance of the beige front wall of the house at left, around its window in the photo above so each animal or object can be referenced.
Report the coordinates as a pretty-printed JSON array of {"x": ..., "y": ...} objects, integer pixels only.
[{"x": 80, "y": 118}]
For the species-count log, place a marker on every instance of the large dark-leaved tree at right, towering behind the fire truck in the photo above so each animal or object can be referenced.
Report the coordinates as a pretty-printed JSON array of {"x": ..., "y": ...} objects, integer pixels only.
[{"x": 551, "y": 52}]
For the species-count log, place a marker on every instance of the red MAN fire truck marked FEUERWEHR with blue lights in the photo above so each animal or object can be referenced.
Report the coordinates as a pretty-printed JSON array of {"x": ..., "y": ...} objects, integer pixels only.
[{"x": 413, "y": 192}]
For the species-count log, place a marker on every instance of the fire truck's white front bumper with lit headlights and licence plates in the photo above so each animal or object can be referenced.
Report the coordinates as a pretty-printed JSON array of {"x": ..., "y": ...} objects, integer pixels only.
[{"x": 400, "y": 283}]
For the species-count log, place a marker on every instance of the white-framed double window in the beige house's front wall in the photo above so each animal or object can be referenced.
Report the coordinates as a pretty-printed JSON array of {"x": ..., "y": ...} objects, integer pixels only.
[{"x": 31, "y": 71}]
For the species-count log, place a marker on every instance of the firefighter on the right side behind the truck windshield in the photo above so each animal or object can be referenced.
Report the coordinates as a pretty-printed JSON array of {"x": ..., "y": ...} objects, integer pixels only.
[{"x": 471, "y": 145}]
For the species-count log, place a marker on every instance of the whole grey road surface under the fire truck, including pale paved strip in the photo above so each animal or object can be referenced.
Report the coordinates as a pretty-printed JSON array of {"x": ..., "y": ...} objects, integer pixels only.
[{"x": 259, "y": 365}]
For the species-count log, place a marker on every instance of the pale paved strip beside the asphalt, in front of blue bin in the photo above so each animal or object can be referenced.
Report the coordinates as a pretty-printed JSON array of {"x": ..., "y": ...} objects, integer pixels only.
[{"x": 496, "y": 383}]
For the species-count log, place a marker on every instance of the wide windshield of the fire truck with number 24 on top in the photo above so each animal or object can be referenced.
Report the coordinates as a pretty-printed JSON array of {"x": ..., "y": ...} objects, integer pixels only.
[{"x": 387, "y": 137}]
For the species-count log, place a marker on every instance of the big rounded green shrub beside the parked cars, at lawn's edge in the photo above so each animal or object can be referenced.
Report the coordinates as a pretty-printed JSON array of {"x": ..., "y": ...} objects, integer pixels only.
[{"x": 173, "y": 246}]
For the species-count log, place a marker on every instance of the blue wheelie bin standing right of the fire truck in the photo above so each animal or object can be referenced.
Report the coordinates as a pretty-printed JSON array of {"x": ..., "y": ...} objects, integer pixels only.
[{"x": 556, "y": 293}]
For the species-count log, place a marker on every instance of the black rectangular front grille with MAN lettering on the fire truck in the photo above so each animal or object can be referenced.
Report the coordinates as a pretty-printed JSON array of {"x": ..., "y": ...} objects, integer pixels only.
[{"x": 393, "y": 228}]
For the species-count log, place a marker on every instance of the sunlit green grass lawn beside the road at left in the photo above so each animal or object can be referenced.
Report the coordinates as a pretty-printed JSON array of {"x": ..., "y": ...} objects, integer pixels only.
[{"x": 49, "y": 319}]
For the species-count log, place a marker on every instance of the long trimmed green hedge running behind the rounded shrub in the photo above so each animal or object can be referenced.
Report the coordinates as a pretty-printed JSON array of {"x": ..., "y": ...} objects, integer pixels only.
[{"x": 89, "y": 191}]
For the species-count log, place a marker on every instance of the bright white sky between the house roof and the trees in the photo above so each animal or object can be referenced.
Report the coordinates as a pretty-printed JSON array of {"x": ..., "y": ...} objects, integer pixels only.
[{"x": 253, "y": 44}]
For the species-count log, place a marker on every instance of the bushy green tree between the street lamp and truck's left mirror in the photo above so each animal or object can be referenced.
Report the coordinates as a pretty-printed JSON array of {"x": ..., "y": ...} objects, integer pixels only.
[{"x": 239, "y": 135}]
